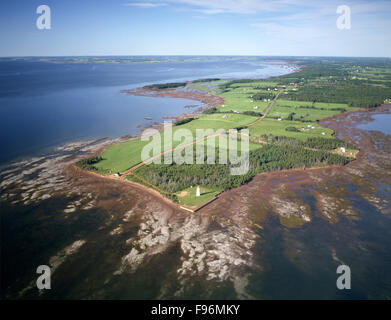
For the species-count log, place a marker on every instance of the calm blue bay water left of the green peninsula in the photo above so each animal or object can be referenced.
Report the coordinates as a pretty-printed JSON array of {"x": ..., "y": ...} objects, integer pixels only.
[{"x": 47, "y": 103}]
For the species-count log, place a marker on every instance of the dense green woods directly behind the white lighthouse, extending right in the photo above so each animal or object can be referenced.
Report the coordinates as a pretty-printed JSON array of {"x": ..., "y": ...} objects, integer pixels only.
[{"x": 174, "y": 178}]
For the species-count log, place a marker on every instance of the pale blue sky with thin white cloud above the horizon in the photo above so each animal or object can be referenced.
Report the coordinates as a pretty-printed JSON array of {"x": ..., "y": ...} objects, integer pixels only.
[{"x": 196, "y": 27}]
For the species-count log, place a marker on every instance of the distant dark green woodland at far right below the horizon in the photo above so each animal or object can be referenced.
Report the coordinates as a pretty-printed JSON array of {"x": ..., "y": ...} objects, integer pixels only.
[{"x": 332, "y": 81}]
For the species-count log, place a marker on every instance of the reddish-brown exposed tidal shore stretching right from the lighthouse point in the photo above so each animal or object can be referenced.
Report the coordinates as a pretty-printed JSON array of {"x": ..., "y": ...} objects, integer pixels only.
[{"x": 268, "y": 190}]
